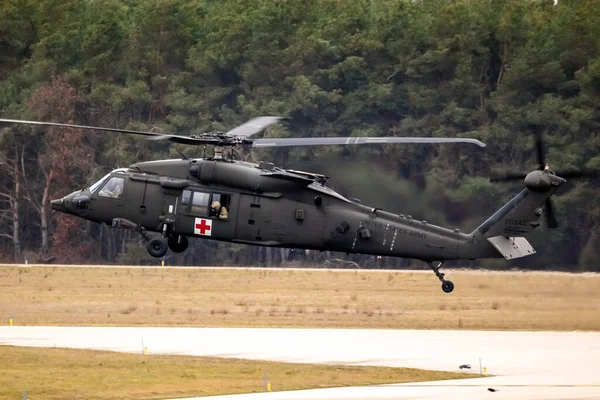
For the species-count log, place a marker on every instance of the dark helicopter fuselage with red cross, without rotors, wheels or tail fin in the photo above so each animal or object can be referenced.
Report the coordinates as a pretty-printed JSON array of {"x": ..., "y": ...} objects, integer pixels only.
[{"x": 264, "y": 205}]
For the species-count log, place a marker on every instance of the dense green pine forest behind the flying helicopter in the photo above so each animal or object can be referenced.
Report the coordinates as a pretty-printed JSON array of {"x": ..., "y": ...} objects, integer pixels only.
[{"x": 494, "y": 70}]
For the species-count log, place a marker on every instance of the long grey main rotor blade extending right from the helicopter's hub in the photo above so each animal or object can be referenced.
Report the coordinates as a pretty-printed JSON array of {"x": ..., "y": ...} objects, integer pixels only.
[{"x": 282, "y": 142}]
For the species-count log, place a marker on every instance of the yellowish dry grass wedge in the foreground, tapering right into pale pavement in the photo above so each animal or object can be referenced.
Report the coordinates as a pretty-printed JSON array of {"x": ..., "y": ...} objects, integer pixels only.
[{"x": 82, "y": 374}]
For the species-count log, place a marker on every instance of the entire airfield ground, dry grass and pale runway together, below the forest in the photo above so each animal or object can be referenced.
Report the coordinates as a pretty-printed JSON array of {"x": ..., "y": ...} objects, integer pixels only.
[{"x": 220, "y": 297}]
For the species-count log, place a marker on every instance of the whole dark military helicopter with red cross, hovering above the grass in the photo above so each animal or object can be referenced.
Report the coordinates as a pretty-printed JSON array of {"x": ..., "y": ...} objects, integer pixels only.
[{"x": 260, "y": 204}]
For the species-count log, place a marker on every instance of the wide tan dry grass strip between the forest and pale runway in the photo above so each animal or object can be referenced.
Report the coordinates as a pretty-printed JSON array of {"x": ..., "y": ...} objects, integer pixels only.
[{"x": 297, "y": 298}]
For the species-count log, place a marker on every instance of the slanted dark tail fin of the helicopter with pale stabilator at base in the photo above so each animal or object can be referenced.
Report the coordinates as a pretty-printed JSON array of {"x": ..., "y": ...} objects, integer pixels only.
[{"x": 507, "y": 228}]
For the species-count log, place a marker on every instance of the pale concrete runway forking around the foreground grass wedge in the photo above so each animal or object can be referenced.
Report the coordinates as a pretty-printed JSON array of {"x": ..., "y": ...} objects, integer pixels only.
[{"x": 524, "y": 365}]
